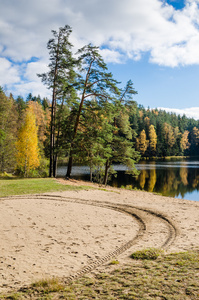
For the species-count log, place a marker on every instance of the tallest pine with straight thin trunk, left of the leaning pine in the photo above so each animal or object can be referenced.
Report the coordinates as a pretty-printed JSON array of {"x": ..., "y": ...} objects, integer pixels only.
[{"x": 59, "y": 79}]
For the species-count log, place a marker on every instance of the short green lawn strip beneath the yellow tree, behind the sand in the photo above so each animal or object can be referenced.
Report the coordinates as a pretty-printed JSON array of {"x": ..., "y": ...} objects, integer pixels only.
[{"x": 12, "y": 186}]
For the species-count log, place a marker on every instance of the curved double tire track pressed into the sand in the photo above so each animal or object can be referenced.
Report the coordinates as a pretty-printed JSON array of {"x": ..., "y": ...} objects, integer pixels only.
[{"x": 149, "y": 224}]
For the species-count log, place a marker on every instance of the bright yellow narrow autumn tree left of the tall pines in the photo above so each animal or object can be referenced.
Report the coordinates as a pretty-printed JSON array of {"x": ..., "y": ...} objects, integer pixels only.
[{"x": 27, "y": 144}]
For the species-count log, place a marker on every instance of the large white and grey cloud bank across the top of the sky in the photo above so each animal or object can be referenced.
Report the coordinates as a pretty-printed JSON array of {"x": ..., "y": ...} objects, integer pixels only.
[{"x": 125, "y": 29}]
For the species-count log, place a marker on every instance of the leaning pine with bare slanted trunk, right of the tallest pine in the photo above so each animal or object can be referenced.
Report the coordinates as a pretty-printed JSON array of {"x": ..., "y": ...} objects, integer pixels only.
[{"x": 94, "y": 83}]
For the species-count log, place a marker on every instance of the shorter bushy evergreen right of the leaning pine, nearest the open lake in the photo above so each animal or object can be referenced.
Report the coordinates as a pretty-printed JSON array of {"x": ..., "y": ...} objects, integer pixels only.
[{"x": 121, "y": 147}]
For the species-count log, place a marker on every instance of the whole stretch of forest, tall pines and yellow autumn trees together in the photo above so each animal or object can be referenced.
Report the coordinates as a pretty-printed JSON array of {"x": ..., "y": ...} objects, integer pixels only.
[{"x": 89, "y": 120}]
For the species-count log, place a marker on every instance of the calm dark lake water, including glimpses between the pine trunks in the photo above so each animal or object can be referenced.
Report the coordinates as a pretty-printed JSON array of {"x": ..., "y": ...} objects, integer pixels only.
[{"x": 176, "y": 178}]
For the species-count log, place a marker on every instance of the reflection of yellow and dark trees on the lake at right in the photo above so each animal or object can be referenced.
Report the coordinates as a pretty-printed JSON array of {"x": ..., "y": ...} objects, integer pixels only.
[{"x": 168, "y": 178}]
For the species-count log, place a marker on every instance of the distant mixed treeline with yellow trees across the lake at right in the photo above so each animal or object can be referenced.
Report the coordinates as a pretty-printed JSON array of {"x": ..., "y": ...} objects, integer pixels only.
[{"x": 160, "y": 134}]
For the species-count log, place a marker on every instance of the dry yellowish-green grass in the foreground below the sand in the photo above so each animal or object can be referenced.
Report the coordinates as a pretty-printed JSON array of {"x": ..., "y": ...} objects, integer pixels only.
[{"x": 172, "y": 277}]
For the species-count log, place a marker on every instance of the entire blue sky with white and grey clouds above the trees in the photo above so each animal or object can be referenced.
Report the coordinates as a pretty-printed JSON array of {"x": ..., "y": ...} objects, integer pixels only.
[{"x": 155, "y": 43}]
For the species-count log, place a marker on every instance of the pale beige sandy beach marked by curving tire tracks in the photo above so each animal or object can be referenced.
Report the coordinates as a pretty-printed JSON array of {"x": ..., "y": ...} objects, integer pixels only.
[{"x": 70, "y": 233}]
